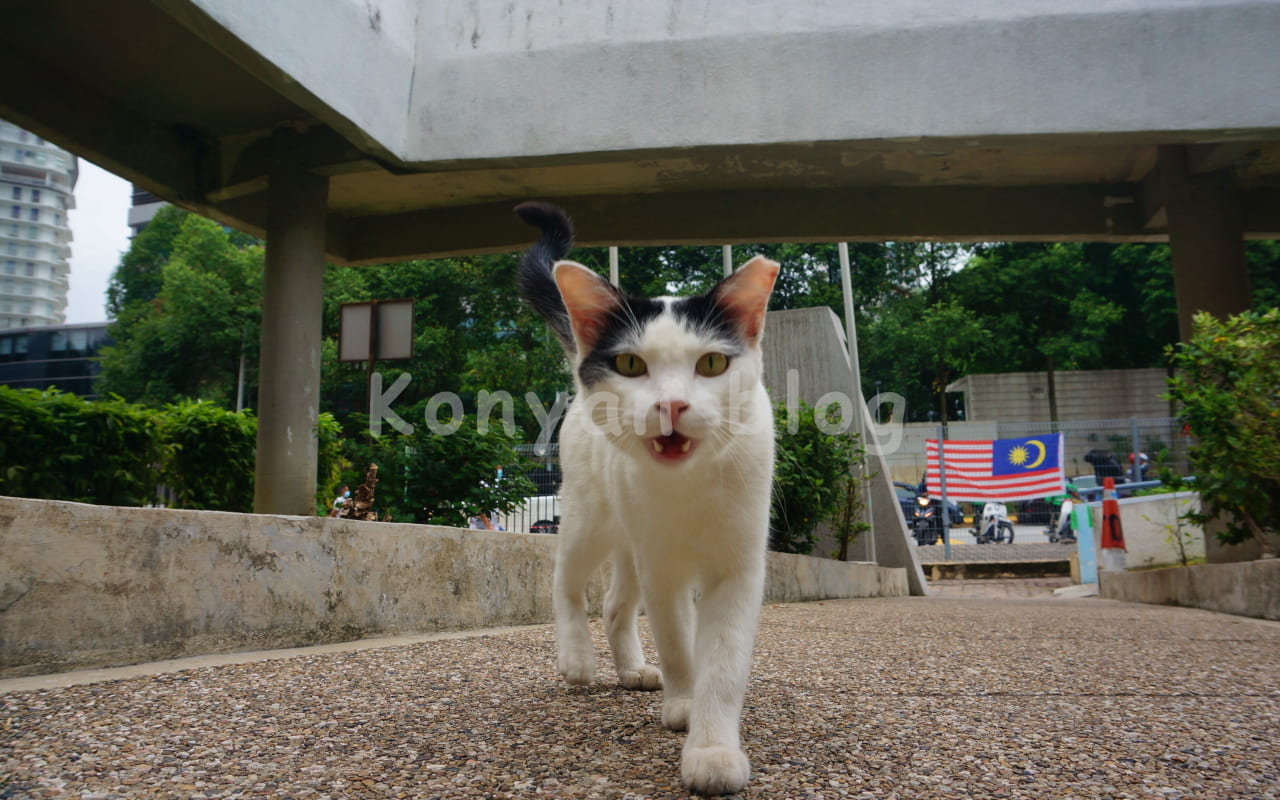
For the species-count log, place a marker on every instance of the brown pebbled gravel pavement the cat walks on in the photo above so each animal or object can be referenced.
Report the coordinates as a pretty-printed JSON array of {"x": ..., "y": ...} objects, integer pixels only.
[{"x": 990, "y": 689}]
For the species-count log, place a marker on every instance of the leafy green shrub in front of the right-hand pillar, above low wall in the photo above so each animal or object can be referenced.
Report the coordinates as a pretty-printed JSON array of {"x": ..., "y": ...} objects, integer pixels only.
[{"x": 1228, "y": 387}]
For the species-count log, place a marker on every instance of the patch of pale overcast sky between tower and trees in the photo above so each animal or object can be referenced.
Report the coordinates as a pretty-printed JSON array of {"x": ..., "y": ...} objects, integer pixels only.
[{"x": 100, "y": 231}]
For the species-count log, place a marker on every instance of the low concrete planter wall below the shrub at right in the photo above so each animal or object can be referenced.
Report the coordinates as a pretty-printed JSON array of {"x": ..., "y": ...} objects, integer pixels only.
[{"x": 1250, "y": 589}]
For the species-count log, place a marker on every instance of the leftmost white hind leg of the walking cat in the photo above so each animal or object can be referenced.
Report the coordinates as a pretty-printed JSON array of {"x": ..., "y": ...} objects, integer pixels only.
[{"x": 578, "y": 556}]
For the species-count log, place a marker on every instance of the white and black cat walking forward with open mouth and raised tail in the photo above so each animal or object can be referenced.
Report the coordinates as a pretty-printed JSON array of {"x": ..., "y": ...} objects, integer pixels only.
[{"x": 668, "y": 454}]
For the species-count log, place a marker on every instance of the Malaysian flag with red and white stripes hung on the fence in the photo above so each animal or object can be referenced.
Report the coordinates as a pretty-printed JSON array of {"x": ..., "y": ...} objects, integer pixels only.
[{"x": 1003, "y": 470}]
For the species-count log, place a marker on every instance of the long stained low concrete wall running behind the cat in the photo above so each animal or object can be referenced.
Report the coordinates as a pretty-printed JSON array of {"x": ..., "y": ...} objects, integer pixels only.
[{"x": 90, "y": 587}]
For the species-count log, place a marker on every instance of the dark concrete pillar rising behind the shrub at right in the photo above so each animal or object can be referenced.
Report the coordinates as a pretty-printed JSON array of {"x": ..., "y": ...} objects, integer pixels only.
[{"x": 1206, "y": 239}]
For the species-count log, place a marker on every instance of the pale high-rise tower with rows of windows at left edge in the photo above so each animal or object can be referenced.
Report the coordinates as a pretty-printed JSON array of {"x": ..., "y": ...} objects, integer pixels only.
[{"x": 36, "y": 184}]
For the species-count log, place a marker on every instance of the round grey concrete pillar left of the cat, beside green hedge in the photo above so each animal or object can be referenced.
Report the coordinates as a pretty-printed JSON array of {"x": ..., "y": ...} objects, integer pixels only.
[{"x": 289, "y": 397}]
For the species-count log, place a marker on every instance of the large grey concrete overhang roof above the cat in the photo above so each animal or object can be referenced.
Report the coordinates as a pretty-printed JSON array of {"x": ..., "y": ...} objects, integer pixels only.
[{"x": 721, "y": 122}]
